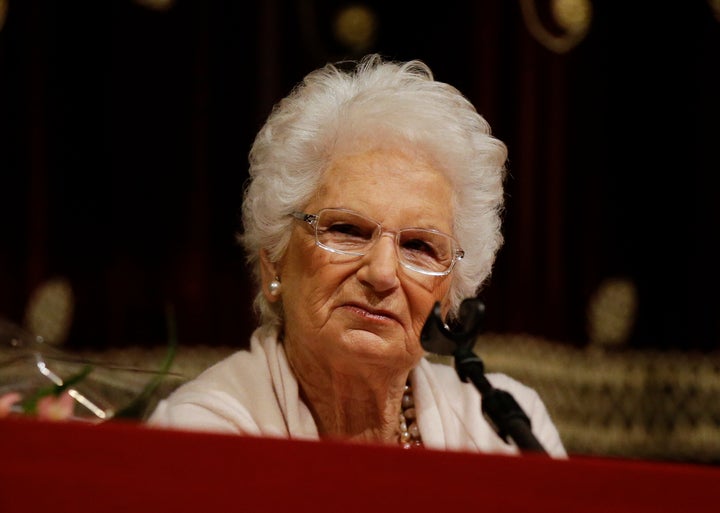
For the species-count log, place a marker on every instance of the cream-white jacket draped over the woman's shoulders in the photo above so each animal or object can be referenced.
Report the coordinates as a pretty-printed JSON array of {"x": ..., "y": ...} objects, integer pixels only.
[{"x": 255, "y": 393}]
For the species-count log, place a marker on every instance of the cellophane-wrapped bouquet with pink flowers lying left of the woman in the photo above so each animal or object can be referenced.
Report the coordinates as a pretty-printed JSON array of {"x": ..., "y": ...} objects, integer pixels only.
[{"x": 40, "y": 380}]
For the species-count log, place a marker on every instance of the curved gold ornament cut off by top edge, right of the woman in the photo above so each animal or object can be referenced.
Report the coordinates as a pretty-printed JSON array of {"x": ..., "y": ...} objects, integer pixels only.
[{"x": 559, "y": 25}]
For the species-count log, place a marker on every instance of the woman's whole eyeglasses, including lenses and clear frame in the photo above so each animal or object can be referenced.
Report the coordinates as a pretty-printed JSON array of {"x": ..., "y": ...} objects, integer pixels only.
[{"x": 346, "y": 232}]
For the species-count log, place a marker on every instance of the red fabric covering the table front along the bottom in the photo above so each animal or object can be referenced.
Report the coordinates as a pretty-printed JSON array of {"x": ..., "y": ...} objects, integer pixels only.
[{"x": 57, "y": 466}]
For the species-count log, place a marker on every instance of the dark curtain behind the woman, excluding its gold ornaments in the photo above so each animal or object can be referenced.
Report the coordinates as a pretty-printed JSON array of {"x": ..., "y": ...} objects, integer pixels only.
[{"x": 124, "y": 134}]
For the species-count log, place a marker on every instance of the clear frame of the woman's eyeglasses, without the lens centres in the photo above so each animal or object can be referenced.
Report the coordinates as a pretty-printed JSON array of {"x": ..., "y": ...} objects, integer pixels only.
[{"x": 455, "y": 252}]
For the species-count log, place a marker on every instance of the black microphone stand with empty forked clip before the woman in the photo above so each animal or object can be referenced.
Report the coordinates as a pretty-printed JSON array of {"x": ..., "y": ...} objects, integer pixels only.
[{"x": 499, "y": 407}]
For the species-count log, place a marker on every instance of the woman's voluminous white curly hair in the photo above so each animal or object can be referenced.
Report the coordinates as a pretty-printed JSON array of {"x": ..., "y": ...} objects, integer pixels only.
[{"x": 374, "y": 102}]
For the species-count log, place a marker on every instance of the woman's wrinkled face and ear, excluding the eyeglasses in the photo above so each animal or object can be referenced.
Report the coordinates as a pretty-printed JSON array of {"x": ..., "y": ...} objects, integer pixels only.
[{"x": 346, "y": 315}]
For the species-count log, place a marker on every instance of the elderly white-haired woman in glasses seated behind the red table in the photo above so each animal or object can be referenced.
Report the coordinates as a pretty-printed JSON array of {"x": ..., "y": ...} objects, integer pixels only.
[{"x": 375, "y": 192}]
